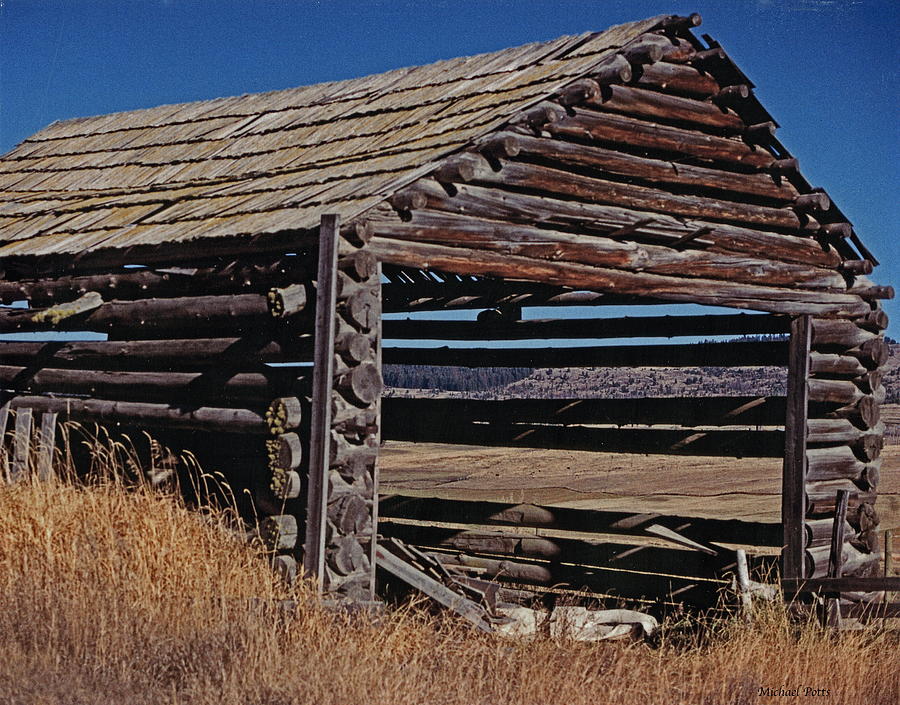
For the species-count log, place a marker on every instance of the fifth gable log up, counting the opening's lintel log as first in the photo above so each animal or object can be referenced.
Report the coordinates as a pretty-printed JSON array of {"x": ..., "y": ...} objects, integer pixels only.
[{"x": 654, "y": 171}]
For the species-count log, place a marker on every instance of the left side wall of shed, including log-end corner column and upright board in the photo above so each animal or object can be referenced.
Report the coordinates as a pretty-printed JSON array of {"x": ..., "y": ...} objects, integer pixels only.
[{"x": 221, "y": 361}]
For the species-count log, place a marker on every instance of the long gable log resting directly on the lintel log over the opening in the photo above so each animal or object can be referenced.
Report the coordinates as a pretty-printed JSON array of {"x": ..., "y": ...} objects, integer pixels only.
[{"x": 544, "y": 244}]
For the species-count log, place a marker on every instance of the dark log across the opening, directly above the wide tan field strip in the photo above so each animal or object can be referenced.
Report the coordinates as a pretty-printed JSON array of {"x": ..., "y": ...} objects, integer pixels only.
[{"x": 757, "y": 444}]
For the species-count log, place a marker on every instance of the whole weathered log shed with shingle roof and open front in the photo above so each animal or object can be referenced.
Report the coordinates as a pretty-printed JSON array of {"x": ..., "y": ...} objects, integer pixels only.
[{"x": 239, "y": 255}]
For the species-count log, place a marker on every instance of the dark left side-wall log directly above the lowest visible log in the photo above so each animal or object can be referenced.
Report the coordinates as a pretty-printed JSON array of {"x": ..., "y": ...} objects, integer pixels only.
[{"x": 155, "y": 386}]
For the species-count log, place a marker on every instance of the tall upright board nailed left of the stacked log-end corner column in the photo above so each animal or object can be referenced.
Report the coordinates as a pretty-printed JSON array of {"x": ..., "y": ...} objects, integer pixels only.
[{"x": 320, "y": 422}]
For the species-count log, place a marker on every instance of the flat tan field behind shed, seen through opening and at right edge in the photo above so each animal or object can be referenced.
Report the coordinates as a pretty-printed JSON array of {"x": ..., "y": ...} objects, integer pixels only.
[{"x": 720, "y": 488}]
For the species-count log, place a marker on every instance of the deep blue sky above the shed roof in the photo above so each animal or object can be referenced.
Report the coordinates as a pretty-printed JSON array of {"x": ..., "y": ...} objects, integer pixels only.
[{"x": 827, "y": 70}]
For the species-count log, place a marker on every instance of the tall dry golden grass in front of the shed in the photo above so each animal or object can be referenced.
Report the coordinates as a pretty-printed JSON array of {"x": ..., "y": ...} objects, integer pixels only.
[{"x": 116, "y": 595}]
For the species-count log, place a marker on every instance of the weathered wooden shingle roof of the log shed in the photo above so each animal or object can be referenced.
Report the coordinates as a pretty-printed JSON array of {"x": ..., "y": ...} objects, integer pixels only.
[{"x": 270, "y": 162}]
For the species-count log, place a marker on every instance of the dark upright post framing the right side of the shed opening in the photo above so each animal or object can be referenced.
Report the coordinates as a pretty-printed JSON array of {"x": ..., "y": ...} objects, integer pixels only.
[{"x": 794, "y": 468}]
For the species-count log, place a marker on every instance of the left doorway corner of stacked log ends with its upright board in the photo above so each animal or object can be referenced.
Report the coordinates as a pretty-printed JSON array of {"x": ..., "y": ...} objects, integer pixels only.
[{"x": 342, "y": 492}]
